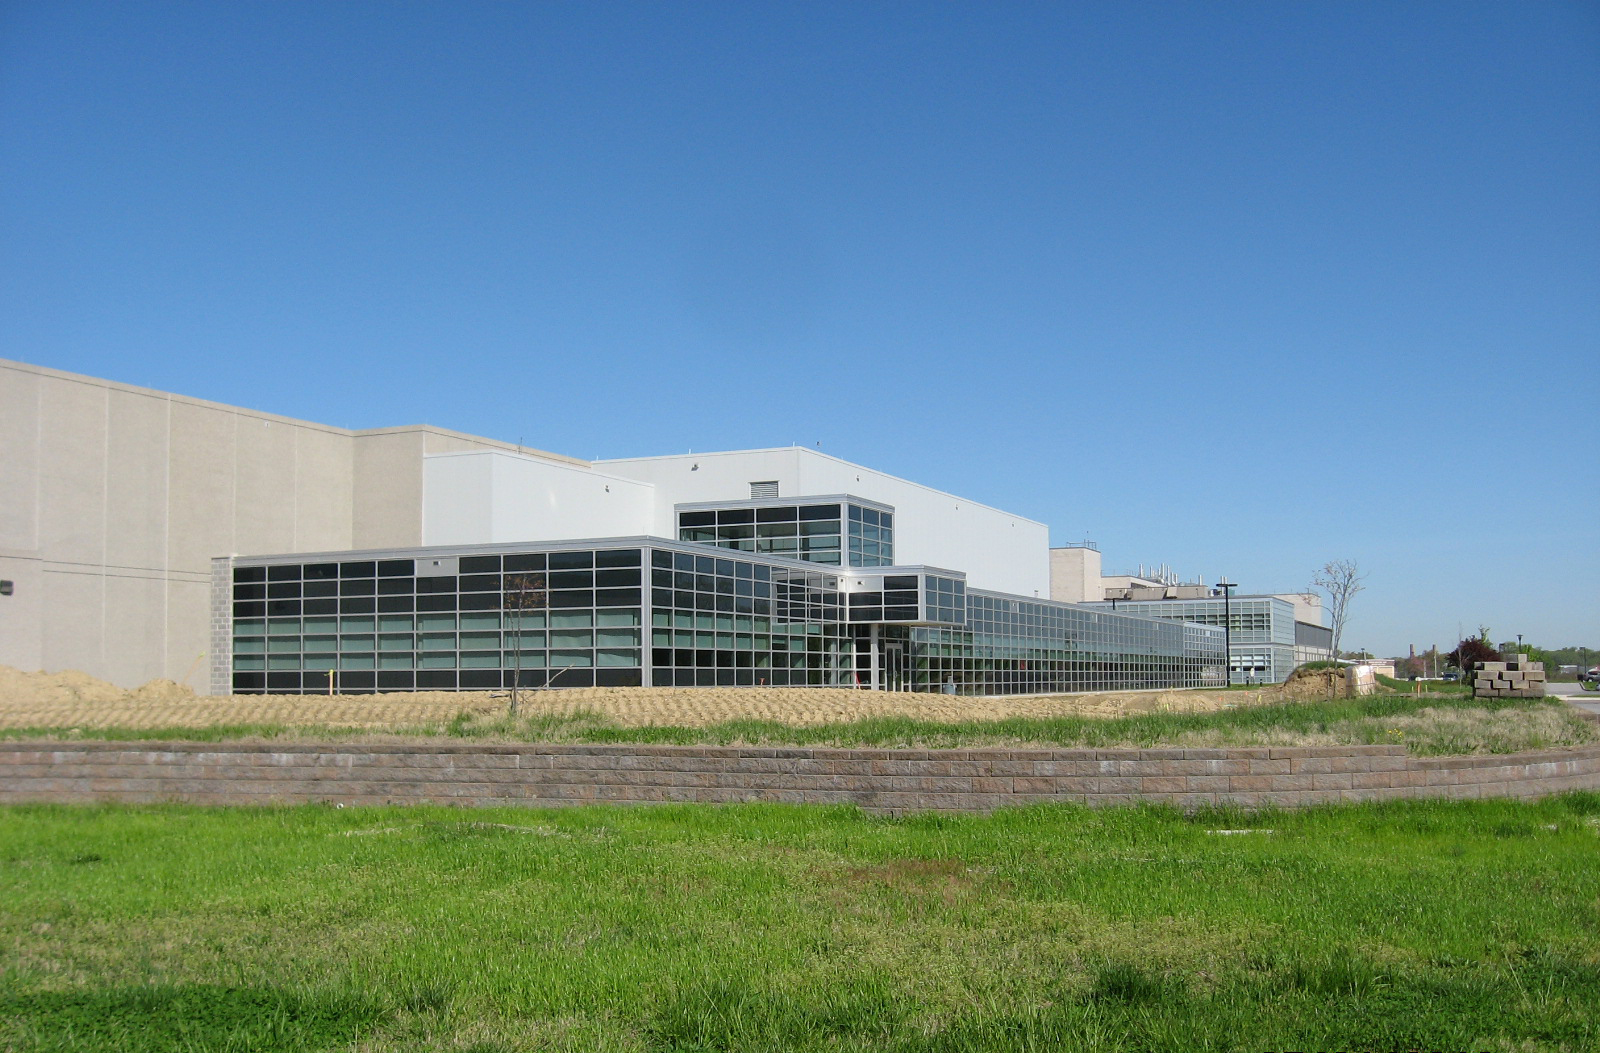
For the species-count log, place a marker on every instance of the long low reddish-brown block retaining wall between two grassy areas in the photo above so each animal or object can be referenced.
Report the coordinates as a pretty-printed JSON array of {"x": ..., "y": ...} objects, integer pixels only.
[{"x": 948, "y": 780}]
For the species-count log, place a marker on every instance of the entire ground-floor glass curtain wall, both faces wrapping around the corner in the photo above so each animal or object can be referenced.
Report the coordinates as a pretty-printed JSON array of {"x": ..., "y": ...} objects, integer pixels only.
[{"x": 588, "y": 619}]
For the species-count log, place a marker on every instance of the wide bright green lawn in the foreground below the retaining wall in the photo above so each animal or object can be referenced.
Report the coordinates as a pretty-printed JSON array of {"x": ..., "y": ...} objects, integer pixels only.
[{"x": 1414, "y": 926}]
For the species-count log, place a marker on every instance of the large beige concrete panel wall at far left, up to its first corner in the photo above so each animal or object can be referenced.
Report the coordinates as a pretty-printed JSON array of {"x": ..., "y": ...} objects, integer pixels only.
[{"x": 119, "y": 497}]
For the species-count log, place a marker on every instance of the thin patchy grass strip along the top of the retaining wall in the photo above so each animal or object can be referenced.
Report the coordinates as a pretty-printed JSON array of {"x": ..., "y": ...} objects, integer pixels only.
[{"x": 1454, "y": 724}]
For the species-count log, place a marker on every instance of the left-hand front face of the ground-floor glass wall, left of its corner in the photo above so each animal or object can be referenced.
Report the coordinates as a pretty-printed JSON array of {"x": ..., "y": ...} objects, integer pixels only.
[{"x": 561, "y": 620}]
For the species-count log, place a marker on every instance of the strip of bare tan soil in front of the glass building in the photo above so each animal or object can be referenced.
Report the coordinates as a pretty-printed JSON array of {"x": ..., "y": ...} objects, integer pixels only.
[{"x": 76, "y": 700}]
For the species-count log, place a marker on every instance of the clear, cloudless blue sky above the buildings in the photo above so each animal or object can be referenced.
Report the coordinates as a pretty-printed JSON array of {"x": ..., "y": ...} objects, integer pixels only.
[{"x": 1234, "y": 287}]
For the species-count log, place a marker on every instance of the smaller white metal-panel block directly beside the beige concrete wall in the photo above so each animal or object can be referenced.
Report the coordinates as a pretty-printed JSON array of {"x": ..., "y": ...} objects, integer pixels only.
[{"x": 490, "y": 497}]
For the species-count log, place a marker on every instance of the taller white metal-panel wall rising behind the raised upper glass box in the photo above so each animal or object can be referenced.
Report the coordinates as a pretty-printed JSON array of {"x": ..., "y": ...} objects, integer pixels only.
[{"x": 998, "y": 550}]
